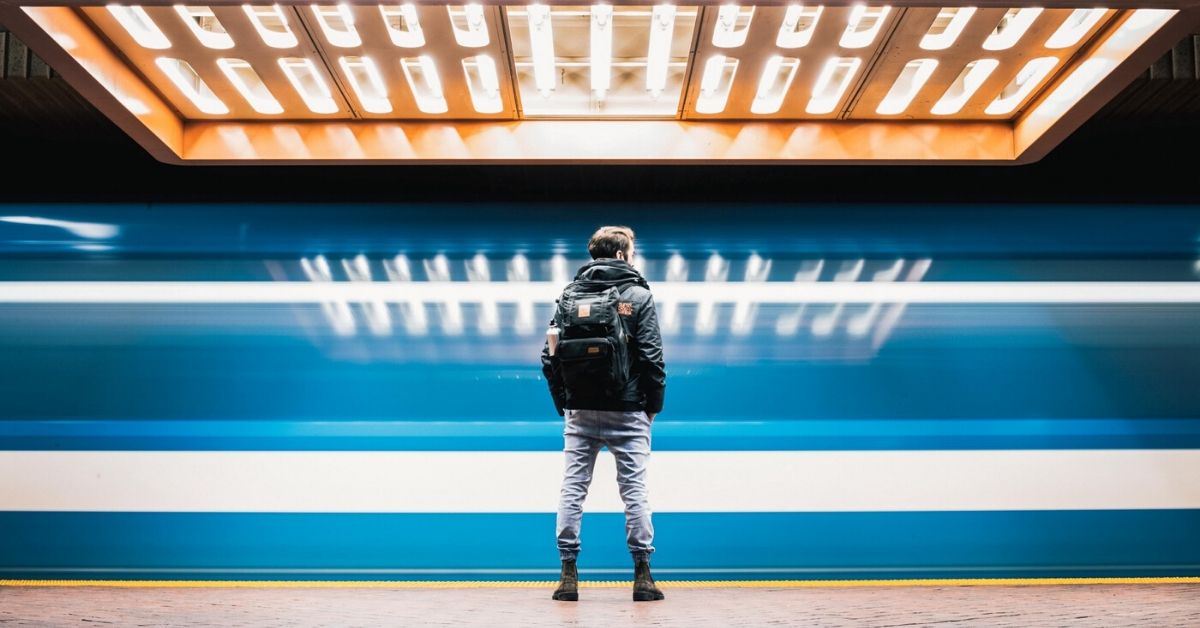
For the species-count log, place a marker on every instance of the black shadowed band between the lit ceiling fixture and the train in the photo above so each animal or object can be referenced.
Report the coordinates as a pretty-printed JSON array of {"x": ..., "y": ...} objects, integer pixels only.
[{"x": 1142, "y": 148}]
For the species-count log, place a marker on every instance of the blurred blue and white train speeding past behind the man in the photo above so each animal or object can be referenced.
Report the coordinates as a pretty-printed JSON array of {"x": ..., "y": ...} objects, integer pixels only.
[{"x": 315, "y": 392}]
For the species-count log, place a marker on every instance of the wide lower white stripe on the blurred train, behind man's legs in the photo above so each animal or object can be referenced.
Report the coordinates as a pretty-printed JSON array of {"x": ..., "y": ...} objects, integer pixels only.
[{"x": 527, "y": 482}]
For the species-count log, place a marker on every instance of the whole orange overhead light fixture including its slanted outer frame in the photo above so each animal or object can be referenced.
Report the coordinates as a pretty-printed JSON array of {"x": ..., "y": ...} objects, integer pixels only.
[{"x": 620, "y": 81}]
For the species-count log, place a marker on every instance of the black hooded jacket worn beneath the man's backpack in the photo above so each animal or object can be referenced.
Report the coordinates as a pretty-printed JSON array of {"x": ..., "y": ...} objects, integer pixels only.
[{"x": 649, "y": 376}]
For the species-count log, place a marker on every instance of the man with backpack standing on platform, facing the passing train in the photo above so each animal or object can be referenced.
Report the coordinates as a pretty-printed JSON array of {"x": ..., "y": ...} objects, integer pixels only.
[{"x": 609, "y": 390}]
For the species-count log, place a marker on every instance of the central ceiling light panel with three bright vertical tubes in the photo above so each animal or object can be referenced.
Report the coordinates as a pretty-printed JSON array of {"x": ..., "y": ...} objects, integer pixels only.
[{"x": 561, "y": 55}]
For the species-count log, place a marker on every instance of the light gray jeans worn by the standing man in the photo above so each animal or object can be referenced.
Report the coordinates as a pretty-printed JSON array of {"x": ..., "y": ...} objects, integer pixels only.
[{"x": 628, "y": 436}]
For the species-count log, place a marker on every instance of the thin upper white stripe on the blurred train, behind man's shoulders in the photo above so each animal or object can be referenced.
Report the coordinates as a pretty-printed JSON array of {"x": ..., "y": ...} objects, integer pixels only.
[{"x": 776, "y": 292}]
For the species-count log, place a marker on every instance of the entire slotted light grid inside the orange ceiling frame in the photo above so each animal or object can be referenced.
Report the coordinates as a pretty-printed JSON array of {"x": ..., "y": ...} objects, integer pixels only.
[{"x": 596, "y": 61}]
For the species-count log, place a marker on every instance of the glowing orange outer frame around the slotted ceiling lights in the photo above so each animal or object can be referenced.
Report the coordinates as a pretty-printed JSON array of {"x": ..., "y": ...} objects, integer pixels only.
[{"x": 62, "y": 35}]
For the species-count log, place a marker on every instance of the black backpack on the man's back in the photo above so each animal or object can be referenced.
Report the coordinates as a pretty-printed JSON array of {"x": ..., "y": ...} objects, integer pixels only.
[{"x": 593, "y": 346}]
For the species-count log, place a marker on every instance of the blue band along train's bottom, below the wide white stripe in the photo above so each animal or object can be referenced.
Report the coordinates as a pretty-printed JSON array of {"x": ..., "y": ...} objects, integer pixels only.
[{"x": 521, "y": 547}]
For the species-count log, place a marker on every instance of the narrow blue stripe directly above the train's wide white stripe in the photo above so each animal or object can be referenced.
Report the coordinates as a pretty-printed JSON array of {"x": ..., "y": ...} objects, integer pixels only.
[{"x": 544, "y": 436}]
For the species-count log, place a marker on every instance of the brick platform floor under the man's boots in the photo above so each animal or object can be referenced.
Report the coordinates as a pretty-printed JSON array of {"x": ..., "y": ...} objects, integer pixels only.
[{"x": 1165, "y": 603}]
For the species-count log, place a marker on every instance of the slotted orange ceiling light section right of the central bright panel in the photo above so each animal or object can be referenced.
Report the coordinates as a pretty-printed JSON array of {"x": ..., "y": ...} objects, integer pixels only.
[{"x": 947, "y": 38}]
